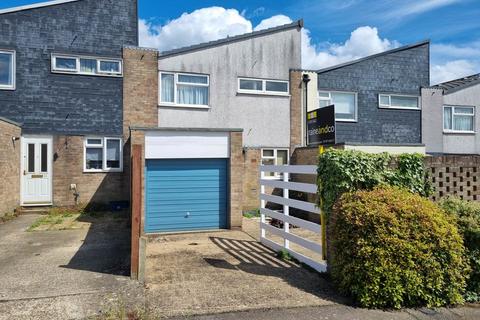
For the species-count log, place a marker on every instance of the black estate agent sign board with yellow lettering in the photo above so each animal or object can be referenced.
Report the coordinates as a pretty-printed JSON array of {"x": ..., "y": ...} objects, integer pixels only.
[{"x": 321, "y": 126}]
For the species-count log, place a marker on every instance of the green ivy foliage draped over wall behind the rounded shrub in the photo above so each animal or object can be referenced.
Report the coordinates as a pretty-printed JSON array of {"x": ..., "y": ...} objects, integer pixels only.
[{"x": 341, "y": 171}]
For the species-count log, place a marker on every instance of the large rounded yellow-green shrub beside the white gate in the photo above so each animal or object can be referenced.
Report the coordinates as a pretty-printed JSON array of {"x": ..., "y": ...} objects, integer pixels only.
[{"x": 390, "y": 248}]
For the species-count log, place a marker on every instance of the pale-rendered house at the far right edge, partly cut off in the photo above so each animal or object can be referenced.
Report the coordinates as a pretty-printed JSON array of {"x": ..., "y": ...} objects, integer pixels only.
[{"x": 449, "y": 116}]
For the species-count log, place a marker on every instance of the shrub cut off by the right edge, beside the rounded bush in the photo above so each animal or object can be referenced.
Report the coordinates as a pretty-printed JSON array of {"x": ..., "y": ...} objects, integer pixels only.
[{"x": 468, "y": 216}]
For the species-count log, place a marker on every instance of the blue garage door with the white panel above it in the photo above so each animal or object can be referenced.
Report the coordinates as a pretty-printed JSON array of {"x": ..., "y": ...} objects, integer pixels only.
[{"x": 187, "y": 180}]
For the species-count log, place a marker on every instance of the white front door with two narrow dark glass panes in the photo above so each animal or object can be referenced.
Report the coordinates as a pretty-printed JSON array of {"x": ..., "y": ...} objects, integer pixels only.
[{"x": 36, "y": 171}]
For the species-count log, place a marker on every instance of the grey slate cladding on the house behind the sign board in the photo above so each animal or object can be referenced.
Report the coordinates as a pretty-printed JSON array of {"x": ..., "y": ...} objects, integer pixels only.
[{"x": 401, "y": 72}]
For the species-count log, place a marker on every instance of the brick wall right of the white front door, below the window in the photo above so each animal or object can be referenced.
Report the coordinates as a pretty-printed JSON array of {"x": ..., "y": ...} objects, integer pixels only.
[{"x": 94, "y": 188}]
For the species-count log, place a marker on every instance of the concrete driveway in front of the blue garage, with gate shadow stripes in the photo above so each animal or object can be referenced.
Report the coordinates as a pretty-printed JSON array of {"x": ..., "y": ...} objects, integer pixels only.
[{"x": 202, "y": 273}]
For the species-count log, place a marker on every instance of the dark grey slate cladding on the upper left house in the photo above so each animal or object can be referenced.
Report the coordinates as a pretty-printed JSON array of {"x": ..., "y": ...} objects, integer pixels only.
[{"x": 45, "y": 102}]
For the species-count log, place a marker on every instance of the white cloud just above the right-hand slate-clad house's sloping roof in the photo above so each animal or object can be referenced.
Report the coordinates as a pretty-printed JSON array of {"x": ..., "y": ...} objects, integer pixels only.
[{"x": 363, "y": 41}]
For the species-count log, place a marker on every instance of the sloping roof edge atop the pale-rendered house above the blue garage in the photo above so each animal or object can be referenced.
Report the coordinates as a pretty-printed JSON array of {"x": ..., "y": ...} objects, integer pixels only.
[{"x": 295, "y": 24}]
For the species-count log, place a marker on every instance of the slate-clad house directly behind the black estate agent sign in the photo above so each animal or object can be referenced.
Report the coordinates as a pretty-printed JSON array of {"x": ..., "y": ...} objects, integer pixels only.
[{"x": 377, "y": 100}]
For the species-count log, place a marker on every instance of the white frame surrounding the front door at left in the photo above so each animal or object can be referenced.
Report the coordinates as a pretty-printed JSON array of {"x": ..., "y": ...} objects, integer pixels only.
[{"x": 24, "y": 138}]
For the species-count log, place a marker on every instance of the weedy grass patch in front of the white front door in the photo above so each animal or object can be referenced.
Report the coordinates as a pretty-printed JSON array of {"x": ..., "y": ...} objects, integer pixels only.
[{"x": 61, "y": 218}]
